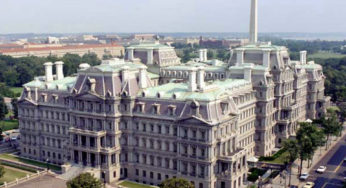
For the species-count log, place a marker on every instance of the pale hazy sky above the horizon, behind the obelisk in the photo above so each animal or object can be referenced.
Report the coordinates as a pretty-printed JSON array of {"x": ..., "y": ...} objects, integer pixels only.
[{"x": 58, "y": 16}]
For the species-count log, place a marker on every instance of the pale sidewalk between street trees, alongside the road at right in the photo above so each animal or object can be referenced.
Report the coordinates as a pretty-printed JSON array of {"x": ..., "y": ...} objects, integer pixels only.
[{"x": 319, "y": 154}]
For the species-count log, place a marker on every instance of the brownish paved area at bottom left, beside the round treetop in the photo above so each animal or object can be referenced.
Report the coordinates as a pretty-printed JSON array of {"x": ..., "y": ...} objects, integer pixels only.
[{"x": 45, "y": 181}]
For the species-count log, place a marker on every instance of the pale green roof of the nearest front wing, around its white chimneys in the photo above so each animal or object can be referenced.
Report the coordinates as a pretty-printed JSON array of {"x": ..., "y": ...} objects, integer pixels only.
[{"x": 213, "y": 90}]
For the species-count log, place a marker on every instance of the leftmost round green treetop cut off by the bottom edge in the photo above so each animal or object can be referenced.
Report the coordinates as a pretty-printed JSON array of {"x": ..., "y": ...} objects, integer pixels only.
[{"x": 84, "y": 180}]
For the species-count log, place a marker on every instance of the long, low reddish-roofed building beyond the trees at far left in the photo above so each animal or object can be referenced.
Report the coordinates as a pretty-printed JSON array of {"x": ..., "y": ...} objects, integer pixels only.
[{"x": 59, "y": 50}]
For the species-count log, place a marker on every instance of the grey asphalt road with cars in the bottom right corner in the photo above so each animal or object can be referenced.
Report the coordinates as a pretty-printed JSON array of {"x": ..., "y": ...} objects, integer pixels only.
[{"x": 336, "y": 167}]
